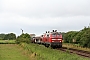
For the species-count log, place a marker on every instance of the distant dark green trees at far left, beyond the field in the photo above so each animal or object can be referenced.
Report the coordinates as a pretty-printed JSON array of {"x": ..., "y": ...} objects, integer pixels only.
[{"x": 9, "y": 36}]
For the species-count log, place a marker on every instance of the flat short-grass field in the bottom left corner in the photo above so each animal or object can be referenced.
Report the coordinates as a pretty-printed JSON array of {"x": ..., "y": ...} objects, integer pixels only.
[{"x": 12, "y": 52}]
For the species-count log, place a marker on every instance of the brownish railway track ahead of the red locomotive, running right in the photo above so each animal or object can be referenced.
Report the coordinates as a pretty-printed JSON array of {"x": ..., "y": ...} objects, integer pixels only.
[{"x": 75, "y": 51}]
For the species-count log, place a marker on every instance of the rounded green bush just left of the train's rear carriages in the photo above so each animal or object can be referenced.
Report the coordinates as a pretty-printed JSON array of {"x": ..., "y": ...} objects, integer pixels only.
[{"x": 23, "y": 38}]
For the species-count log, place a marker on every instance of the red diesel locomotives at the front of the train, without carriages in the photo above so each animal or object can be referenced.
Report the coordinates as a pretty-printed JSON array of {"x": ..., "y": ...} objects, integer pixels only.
[{"x": 53, "y": 39}]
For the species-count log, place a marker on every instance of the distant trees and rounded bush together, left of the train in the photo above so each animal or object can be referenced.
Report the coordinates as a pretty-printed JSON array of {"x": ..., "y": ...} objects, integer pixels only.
[{"x": 24, "y": 37}]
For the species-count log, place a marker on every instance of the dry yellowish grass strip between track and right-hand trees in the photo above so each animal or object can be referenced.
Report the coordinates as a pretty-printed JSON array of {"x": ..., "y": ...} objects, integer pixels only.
[{"x": 75, "y": 46}]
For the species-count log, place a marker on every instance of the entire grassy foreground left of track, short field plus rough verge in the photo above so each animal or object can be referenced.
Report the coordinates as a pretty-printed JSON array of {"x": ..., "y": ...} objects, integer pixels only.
[{"x": 34, "y": 52}]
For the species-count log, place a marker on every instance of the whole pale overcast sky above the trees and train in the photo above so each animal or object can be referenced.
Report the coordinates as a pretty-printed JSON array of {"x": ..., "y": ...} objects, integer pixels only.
[{"x": 38, "y": 16}]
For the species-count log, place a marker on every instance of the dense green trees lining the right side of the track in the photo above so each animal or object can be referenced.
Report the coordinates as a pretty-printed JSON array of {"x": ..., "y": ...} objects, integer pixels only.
[{"x": 82, "y": 37}]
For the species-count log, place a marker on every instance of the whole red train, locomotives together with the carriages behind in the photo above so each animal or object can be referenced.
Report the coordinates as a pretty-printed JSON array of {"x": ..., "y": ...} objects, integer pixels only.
[{"x": 49, "y": 39}]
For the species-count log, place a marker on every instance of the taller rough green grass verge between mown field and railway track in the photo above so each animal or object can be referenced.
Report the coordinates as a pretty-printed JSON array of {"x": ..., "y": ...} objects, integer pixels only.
[{"x": 43, "y": 53}]
